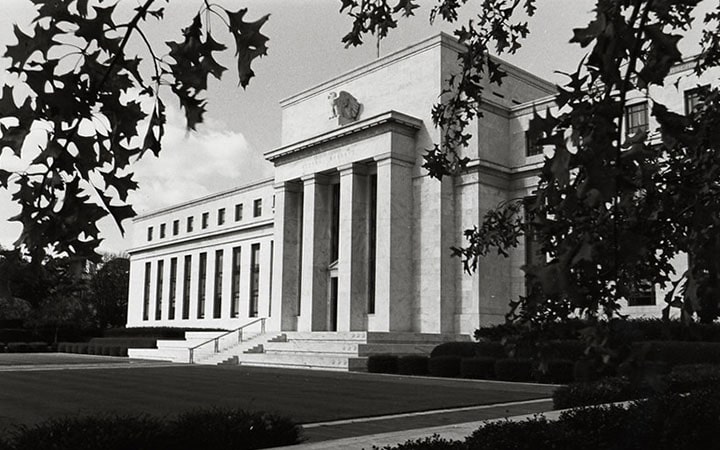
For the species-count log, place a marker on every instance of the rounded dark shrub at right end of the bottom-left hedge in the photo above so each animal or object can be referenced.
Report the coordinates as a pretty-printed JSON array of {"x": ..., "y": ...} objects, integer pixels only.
[{"x": 232, "y": 429}]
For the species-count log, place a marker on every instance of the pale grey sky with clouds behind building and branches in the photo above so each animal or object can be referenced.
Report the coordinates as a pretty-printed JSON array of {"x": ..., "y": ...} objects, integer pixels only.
[{"x": 305, "y": 49}]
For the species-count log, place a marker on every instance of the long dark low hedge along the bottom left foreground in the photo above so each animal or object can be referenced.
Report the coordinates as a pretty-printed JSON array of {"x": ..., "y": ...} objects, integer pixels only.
[{"x": 219, "y": 429}]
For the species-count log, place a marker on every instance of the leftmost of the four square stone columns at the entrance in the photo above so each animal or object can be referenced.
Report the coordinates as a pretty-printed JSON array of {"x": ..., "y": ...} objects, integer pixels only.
[{"x": 288, "y": 201}]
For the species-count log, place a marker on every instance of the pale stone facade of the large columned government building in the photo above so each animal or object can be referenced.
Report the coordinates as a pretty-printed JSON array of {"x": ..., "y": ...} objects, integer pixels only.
[{"x": 351, "y": 234}]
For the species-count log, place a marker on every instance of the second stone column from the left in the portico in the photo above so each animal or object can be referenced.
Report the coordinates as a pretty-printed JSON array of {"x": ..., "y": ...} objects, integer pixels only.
[{"x": 315, "y": 253}]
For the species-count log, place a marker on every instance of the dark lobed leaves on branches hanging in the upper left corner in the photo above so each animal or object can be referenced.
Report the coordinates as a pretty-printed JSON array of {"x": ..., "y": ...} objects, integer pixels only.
[{"x": 92, "y": 110}]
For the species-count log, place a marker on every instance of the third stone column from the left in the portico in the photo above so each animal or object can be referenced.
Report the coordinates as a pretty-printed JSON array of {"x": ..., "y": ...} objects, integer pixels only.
[{"x": 353, "y": 251}]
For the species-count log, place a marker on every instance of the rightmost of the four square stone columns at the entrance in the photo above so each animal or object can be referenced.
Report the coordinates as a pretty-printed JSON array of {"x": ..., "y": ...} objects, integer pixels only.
[{"x": 394, "y": 308}]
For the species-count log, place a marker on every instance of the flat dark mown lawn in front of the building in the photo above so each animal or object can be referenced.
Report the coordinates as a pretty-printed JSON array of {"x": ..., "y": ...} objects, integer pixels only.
[{"x": 306, "y": 396}]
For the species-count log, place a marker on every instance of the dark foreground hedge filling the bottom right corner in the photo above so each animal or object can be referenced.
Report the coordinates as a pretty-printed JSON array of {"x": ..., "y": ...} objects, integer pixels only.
[{"x": 670, "y": 422}]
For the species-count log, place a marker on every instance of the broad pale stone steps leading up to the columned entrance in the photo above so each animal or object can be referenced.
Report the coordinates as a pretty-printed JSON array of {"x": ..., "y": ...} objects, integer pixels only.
[{"x": 341, "y": 351}]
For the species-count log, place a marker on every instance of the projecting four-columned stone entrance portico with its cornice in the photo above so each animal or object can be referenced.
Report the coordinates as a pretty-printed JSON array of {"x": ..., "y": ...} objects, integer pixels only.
[{"x": 343, "y": 230}]
